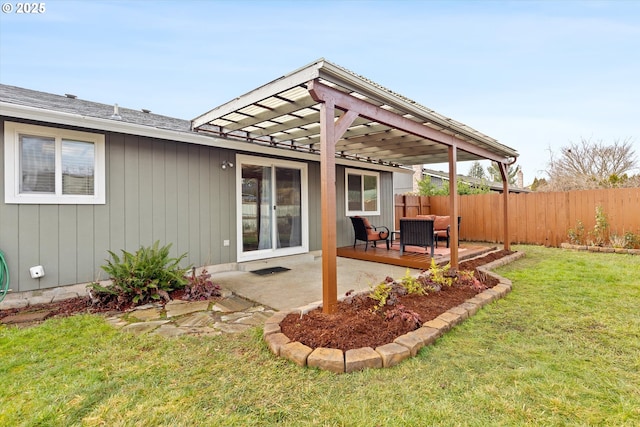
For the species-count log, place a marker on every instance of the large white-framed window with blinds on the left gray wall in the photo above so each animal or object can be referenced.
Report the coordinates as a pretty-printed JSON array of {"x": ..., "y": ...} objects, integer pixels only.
[{"x": 53, "y": 166}]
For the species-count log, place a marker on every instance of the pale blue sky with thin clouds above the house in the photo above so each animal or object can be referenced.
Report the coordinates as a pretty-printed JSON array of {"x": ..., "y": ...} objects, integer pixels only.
[{"x": 536, "y": 75}]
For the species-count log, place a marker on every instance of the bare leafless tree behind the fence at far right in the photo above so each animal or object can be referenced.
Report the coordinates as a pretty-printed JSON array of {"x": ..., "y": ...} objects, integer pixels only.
[{"x": 592, "y": 164}]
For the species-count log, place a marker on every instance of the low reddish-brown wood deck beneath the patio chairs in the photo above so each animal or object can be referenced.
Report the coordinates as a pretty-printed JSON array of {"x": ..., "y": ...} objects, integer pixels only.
[{"x": 408, "y": 259}]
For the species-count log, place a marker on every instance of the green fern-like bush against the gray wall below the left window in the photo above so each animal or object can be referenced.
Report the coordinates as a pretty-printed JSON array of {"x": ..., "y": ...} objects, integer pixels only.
[{"x": 147, "y": 275}]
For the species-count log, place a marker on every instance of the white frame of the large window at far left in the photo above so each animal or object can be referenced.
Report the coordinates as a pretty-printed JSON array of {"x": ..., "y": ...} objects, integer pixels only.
[{"x": 12, "y": 194}]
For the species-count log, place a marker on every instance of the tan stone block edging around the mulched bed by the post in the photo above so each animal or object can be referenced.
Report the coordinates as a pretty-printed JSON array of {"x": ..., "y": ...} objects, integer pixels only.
[{"x": 385, "y": 356}]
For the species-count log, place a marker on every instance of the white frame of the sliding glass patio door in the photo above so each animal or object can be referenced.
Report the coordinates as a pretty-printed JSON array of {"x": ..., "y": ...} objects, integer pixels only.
[{"x": 272, "y": 252}]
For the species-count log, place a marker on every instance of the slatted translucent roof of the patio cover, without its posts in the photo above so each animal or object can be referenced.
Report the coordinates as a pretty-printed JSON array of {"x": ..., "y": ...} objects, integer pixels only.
[{"x": 283, "y": 113}]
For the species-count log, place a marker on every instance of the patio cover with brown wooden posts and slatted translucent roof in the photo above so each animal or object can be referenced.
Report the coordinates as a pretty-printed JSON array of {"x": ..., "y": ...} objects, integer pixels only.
[{"x": 326, "y": 109}]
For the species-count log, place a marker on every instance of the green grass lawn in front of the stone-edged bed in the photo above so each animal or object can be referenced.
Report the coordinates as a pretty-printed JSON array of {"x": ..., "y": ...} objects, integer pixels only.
[{"x": 563, "y": 348}]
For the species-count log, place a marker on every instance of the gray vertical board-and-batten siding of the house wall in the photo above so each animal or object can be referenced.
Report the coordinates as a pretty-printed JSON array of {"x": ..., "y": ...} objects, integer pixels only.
[{"x": 169, "y": 191}]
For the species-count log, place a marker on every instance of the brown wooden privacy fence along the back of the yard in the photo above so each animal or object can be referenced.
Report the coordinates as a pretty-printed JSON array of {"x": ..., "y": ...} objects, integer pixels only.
[{"x": 536, "y": 218}]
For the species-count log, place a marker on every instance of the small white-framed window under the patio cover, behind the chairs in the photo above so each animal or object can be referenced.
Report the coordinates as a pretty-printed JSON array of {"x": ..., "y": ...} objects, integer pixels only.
[{"x": 362, "y": 192}]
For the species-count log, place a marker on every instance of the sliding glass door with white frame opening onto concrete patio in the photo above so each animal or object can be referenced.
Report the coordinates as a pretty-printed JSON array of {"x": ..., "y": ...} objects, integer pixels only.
[{"x": 273, "y": 206}]
